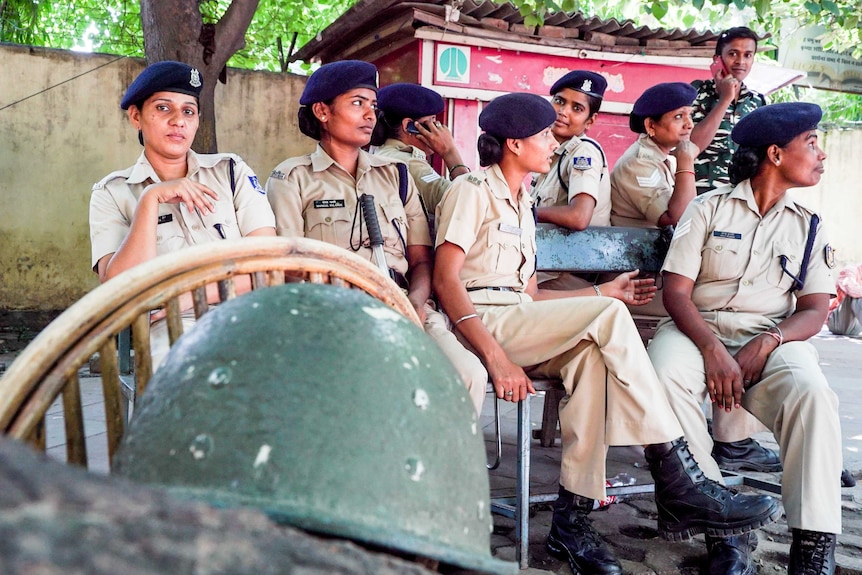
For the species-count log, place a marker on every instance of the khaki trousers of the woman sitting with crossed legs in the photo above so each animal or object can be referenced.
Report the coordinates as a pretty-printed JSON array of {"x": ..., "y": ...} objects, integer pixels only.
[{"x": 613, "y": 396}]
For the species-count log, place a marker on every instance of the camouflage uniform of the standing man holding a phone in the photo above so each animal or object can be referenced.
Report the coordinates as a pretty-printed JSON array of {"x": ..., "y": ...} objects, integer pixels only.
[{"x": 710, "y": 167}]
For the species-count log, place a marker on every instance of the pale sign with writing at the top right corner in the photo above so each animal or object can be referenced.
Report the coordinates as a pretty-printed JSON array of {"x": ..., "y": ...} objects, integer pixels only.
[{"x": 802, "y": 50}]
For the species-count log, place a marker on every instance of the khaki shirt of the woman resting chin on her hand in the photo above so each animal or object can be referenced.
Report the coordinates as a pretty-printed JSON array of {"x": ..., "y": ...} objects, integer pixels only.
[{"x": 641, "y": 185}]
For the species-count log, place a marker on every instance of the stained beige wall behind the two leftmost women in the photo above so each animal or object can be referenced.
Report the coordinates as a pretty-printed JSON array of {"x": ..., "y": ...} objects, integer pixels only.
[{"x": 55, "y": 144}]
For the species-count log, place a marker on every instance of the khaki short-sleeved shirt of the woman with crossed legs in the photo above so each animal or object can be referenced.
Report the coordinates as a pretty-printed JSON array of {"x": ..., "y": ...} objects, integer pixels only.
[{"x": 497, "y": 234}]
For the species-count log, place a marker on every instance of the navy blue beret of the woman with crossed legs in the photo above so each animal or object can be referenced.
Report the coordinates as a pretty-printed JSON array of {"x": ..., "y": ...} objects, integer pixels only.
[{"x": 517, "y": 115}]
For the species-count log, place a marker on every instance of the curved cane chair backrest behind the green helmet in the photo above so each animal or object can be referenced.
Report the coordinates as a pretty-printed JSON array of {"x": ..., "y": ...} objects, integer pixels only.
[{"x": 49, "y": 365}]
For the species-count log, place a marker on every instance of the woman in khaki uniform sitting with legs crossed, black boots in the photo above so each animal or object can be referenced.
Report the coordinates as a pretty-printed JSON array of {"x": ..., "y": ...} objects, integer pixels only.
[{"x": 485, "y": 279}]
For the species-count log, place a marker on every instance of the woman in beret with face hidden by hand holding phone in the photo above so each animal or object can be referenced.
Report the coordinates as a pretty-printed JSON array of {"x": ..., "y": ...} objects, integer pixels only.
[{"x": 408, "y": 131}]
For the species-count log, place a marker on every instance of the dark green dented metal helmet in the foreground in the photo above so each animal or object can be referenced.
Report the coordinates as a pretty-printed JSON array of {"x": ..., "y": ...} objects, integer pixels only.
[{"x": 328, "y": 410}]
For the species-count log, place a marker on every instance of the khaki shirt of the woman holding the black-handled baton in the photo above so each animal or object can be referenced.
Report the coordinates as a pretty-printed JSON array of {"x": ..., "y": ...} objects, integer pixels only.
[{"x": 312, "y": 196}]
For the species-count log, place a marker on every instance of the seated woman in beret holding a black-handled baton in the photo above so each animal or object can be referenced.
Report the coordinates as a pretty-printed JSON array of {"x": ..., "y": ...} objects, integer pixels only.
[{"x": 317, "y": 196}]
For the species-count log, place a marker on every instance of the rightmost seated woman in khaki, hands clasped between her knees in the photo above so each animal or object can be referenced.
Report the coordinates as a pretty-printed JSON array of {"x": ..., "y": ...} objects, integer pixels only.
[{"x": 747, "y": 281}]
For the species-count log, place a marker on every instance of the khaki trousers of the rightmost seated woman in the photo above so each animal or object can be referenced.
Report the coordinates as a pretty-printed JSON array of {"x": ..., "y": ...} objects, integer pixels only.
[{"x": 793, "y": 399}]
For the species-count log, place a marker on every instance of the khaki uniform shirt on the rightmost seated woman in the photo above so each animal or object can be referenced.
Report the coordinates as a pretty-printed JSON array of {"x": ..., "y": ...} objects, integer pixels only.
[{"x": 734, "y": 255}]
